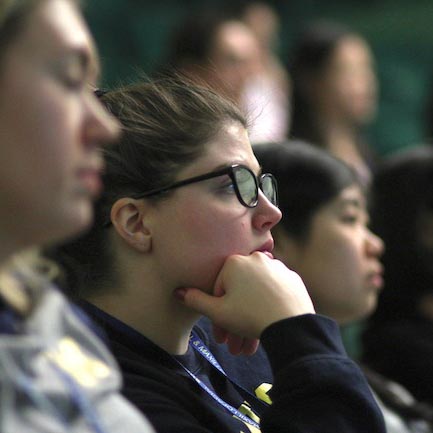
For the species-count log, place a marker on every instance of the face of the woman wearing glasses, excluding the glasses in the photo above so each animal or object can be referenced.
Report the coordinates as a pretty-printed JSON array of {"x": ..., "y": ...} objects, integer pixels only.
[{"x": 200, "y": 225}]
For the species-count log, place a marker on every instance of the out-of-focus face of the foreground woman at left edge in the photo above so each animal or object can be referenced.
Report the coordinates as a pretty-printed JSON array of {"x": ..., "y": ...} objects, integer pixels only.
[{"x": 50, "y": 125}]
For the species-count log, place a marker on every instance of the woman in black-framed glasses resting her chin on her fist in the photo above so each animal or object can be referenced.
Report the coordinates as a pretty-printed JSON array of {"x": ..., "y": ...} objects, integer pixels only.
[{"x": 182, "y": 228}]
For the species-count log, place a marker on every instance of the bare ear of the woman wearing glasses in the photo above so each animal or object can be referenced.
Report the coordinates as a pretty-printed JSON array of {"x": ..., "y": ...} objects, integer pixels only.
[{"x": 128, "y": 217}]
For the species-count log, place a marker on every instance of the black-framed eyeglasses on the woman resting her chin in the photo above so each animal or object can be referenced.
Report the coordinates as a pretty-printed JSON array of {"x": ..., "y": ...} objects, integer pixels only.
[{"x": 246, "y": 185}]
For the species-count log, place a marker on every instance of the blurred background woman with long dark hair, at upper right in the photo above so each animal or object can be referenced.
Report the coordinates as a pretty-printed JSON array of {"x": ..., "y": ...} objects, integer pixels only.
[{"x": 334, "y": 92}]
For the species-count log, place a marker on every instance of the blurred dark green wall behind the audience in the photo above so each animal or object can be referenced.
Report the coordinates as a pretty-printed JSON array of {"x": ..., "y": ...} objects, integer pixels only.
[{"x": 132, "y": 34}]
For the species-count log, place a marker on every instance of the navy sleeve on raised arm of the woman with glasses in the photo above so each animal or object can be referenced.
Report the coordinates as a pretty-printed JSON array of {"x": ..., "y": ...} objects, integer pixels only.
[{"x": 317, "y": 388}]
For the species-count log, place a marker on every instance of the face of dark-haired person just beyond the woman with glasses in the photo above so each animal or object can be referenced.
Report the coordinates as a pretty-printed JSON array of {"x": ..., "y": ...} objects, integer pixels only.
[{"x": 339, "y": 260}]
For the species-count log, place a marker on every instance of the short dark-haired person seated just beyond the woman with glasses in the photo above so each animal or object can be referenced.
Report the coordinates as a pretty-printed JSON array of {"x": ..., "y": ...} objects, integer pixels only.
[{"x": 324, "y": 237}]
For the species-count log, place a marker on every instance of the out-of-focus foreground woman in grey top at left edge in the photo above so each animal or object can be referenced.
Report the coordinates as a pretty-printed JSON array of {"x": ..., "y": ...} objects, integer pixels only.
[{"x": 55, "y": 374}]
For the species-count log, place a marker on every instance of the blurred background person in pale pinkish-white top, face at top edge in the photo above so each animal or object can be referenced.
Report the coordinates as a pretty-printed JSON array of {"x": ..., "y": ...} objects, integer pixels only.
[{"x": 266, "y": 95}]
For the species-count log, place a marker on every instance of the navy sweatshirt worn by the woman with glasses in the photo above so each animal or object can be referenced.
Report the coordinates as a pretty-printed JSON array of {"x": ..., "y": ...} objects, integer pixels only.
[{"x": 316, "y": 388}]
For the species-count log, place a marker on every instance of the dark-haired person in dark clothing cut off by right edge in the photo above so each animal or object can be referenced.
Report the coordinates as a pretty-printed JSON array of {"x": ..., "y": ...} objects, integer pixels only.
[{"x": 398, "y": 341}]
